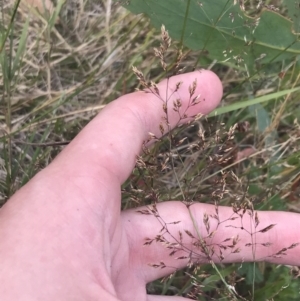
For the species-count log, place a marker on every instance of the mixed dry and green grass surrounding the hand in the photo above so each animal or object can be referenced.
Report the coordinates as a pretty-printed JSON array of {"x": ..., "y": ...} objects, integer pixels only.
[{"x": 61, "y": 64}]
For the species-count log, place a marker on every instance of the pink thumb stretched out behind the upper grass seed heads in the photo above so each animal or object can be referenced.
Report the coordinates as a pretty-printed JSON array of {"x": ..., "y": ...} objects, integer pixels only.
[{"x": 114, "y": 138}]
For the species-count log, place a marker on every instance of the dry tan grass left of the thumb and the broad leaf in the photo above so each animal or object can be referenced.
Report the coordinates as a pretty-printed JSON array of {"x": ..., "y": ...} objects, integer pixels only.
[{"x": 69, "y": 69}]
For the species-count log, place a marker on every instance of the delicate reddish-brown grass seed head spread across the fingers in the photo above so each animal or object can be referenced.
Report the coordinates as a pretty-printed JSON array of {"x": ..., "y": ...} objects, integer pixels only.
[{"x": 171, "y": 172}]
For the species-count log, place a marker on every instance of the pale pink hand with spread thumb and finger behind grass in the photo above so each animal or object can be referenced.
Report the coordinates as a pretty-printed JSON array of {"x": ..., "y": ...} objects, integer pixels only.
[{"x": 63, "y": 236}]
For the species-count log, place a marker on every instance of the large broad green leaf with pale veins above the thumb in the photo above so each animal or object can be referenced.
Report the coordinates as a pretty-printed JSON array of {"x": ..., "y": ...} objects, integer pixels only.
[{"x": 222, "y": 30}]
